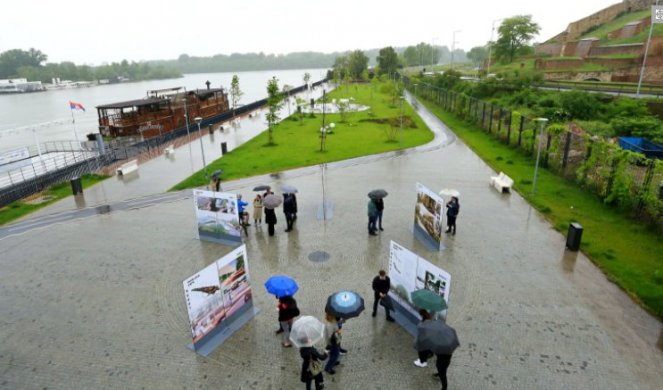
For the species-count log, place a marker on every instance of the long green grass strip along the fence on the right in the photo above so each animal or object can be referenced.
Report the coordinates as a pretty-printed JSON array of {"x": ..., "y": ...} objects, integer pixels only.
[{"x": 629, "y": 252}]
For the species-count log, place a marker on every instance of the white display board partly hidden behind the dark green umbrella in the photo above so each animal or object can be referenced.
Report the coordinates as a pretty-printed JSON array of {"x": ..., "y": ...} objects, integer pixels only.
[{"x": 409, "y": 272}]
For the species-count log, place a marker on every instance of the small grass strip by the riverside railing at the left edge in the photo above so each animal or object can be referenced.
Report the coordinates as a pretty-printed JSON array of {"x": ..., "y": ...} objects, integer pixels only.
[{"x": 54, "y": 193}]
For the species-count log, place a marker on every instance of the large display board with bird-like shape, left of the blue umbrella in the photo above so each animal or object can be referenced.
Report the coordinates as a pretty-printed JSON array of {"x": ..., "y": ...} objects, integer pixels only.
[{"x": 219, "y": 300}]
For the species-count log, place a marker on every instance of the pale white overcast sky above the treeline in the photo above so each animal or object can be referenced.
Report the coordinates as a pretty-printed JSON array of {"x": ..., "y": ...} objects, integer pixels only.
[{"x": 95, "y": 32}]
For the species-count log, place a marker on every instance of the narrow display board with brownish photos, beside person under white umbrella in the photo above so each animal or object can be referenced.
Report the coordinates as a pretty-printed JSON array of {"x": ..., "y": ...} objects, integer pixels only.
[{"x": 428, "y": 217}]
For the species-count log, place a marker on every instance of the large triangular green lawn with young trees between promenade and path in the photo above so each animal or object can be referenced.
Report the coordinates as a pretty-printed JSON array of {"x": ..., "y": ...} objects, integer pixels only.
[{"x": 297, "y": 144}]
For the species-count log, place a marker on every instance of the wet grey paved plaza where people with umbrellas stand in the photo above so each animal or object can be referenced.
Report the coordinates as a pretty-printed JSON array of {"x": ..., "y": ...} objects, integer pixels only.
[{"x": 97, "y": 302}]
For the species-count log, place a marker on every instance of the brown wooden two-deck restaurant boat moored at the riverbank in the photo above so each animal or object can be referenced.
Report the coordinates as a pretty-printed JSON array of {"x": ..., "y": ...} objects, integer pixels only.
[{"x": 161, "y": 112}]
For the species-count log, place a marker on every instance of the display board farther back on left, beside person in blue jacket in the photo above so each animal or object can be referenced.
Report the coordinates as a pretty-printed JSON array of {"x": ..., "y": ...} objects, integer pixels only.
[{"x": 217, "y": 217}]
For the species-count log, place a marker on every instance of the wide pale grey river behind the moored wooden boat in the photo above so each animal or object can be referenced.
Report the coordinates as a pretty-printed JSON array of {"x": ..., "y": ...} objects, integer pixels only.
[{"x": 46, "y": 116}]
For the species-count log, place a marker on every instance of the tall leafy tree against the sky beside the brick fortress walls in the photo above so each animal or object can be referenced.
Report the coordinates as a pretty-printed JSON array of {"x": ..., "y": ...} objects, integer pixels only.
[{"x": 514, "y": 36}]
